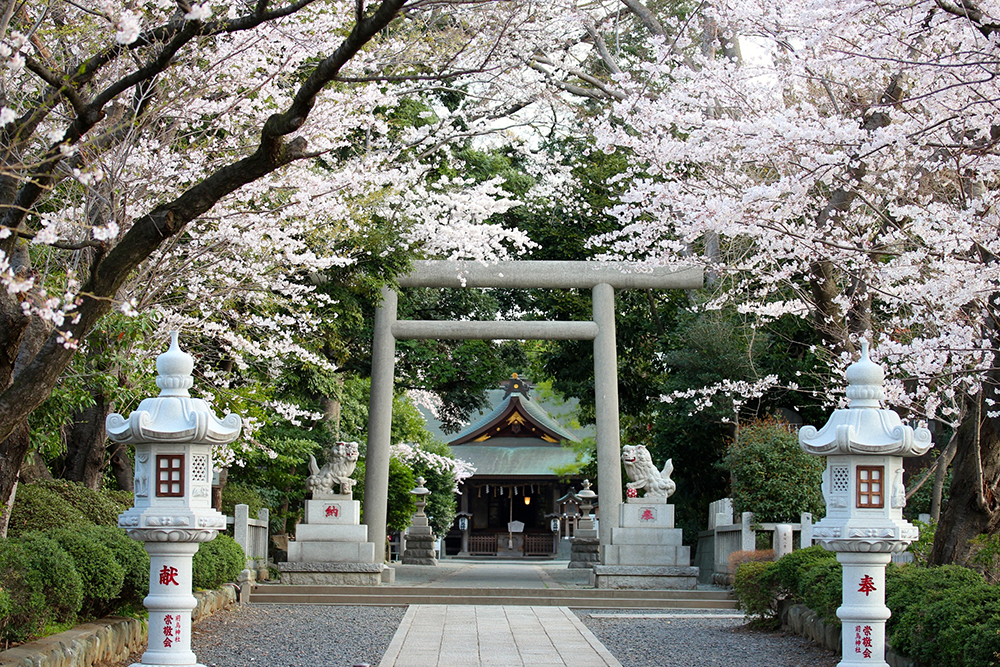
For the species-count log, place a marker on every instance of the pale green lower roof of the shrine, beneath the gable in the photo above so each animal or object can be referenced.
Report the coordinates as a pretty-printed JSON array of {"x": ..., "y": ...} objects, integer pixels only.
[{"x": 514, "y": 459}]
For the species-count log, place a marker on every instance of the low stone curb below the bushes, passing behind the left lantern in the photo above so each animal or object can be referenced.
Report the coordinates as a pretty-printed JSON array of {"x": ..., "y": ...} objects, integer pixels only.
[{"x": 108, "y": 640}]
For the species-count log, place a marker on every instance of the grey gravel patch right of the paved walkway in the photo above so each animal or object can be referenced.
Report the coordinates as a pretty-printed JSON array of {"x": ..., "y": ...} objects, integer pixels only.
[{"x": 699, "y": 642}]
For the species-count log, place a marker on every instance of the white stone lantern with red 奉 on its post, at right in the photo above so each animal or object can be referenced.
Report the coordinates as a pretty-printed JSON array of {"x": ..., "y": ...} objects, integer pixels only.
[{"x": 864, "y": 447}]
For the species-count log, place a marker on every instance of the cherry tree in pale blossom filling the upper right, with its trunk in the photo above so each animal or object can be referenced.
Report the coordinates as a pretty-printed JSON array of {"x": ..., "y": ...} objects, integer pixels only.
[{"x": 844, "y": 171}]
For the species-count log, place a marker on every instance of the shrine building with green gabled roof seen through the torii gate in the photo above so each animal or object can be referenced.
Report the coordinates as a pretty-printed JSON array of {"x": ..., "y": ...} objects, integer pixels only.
[{"x": 514, "y": 505}]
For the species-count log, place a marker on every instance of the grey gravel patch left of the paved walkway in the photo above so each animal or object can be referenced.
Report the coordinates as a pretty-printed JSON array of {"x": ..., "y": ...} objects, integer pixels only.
[{"x": 295, "y": 636}]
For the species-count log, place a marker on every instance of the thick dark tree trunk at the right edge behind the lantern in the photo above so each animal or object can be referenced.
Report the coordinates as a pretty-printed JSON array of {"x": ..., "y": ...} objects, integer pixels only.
[{"x": 972, "y": 507}]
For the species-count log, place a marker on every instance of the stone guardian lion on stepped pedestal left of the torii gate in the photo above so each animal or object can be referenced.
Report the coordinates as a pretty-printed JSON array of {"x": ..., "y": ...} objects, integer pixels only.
[{"x": 331, "y": 546}]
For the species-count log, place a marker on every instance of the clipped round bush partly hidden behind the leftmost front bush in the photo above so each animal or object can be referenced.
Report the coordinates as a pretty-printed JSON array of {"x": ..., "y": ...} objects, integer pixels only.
[{"x": 97, "y": 566}]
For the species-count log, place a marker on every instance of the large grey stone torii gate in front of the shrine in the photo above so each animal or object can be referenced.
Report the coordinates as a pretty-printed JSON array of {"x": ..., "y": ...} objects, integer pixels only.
[{"x": 603, "y": 278}]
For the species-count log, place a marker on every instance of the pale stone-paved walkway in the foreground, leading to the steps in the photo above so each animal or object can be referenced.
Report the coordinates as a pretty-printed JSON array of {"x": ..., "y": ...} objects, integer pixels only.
[{"x": 507, "y": 636}]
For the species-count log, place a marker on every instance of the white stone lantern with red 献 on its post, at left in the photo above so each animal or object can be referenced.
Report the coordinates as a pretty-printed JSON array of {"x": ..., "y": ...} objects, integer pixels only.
[{"x": 173, "y": 435}]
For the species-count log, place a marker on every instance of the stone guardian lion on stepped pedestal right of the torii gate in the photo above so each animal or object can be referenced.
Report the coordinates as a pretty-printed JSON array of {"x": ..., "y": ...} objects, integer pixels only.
[{"x": 645, "y": 550}]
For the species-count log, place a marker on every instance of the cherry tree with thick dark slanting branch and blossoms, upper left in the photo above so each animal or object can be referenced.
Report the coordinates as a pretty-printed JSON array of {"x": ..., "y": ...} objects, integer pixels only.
[{"x": 208, "y": 165}]
